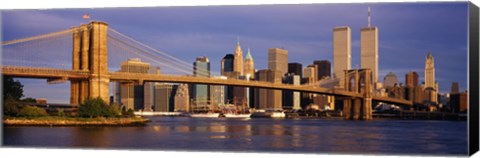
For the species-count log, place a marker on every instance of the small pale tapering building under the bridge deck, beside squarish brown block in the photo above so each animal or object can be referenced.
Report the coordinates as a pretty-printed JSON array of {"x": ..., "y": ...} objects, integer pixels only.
[{"x": 182, "y": 99}]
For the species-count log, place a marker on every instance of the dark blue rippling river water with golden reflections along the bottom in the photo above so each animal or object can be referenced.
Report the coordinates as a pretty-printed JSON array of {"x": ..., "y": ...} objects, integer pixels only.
[{"x": 399, "y": 137}]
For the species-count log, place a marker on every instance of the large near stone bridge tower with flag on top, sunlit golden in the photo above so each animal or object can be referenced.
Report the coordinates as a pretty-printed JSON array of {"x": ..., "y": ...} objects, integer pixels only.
[{"x": 90, "y": 54}]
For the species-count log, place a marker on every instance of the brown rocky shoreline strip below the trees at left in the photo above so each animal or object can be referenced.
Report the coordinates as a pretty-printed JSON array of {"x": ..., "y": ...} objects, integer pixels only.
[{"x": 57, "y": 121}]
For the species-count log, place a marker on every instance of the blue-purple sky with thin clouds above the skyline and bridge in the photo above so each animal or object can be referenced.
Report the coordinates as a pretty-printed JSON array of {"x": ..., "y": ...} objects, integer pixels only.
[{"x": 407, "y": 31}]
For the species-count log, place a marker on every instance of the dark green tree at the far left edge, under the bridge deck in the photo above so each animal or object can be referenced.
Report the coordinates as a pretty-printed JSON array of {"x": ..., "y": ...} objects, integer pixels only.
[{"x": 12, "y": 88}]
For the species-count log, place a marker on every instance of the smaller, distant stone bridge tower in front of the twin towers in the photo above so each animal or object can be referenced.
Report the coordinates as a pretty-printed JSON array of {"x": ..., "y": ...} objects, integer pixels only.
[{"x": 358, "y": 81}]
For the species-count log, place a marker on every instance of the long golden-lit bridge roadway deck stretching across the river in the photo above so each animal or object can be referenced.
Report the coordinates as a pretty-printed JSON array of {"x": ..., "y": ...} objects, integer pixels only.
[{"x": 51, "y": 73}]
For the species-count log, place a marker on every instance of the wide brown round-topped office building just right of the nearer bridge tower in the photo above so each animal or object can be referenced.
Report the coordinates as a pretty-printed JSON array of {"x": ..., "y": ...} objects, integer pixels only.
[{"x": 132, "y": 96}]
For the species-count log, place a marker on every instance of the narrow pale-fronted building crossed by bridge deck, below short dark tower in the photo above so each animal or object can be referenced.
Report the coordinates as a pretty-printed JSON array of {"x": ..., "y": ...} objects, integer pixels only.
[{"x": 291, "y": 99}]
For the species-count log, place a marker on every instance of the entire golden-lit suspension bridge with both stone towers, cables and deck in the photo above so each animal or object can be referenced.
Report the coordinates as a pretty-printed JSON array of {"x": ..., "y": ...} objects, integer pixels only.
[{"x": 85, "y": 56}]
